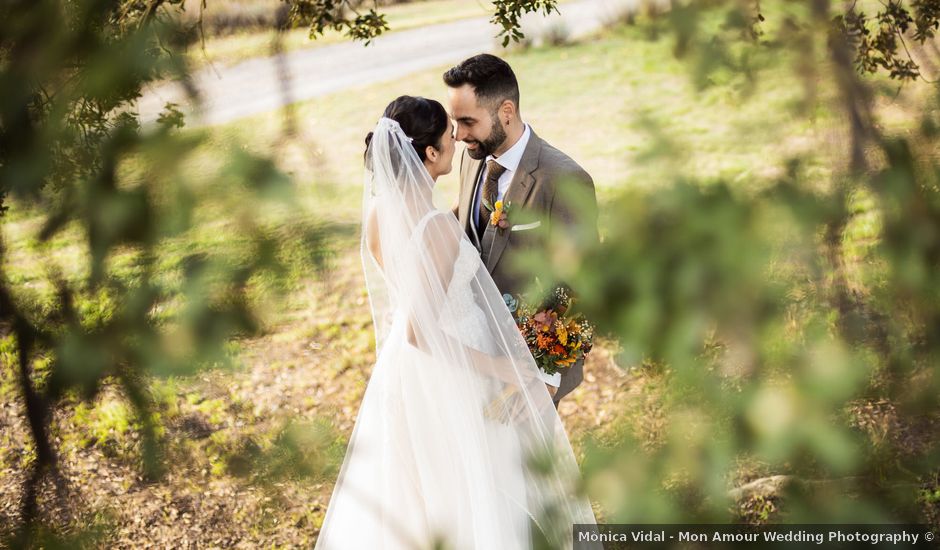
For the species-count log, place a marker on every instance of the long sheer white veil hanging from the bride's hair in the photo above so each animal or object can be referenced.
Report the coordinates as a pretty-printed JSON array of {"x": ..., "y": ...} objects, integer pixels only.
[{"x": 509, "y": 462}]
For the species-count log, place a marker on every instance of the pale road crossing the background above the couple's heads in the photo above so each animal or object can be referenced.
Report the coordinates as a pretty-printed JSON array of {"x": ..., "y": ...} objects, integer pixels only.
[{"x": 254, "y": 86}]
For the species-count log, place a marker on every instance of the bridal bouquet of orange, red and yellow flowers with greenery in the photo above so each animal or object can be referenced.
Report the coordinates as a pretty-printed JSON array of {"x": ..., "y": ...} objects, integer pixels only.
[{"x": 556, "y": 338}]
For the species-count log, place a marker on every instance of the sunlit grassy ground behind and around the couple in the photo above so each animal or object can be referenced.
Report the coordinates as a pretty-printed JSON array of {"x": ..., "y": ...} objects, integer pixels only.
[{"x": 619, "y": 104}]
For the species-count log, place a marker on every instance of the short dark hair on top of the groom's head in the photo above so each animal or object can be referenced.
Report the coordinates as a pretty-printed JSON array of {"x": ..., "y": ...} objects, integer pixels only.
[{"x": 492, "y": 79}]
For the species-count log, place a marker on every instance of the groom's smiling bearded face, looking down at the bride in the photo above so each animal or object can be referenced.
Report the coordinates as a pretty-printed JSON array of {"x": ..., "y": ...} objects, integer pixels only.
[{"x": 477, "y": 125}]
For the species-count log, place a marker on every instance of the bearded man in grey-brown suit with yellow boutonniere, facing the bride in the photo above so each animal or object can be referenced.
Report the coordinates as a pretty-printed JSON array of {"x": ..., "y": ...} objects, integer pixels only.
[{"x": 505, "y": 160}]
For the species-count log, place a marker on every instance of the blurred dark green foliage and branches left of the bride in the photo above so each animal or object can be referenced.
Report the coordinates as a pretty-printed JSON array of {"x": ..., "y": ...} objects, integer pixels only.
[{"x": 150, "y": 300}]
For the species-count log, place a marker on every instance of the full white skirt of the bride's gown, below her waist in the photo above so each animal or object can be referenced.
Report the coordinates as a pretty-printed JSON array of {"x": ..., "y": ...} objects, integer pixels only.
[{"x": 425, "y": 465}]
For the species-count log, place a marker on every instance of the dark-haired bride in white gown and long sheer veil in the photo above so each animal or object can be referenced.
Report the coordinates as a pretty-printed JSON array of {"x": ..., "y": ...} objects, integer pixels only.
[{"x": 457, "y": 442}]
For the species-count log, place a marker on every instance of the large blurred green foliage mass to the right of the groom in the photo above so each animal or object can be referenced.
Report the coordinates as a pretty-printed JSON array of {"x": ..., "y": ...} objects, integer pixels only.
[{"x": 796, "y": 324}]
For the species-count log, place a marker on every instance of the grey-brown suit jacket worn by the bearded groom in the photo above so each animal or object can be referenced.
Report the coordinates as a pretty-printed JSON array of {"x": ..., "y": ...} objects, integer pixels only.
[{"x": 541, "y": 194}]
